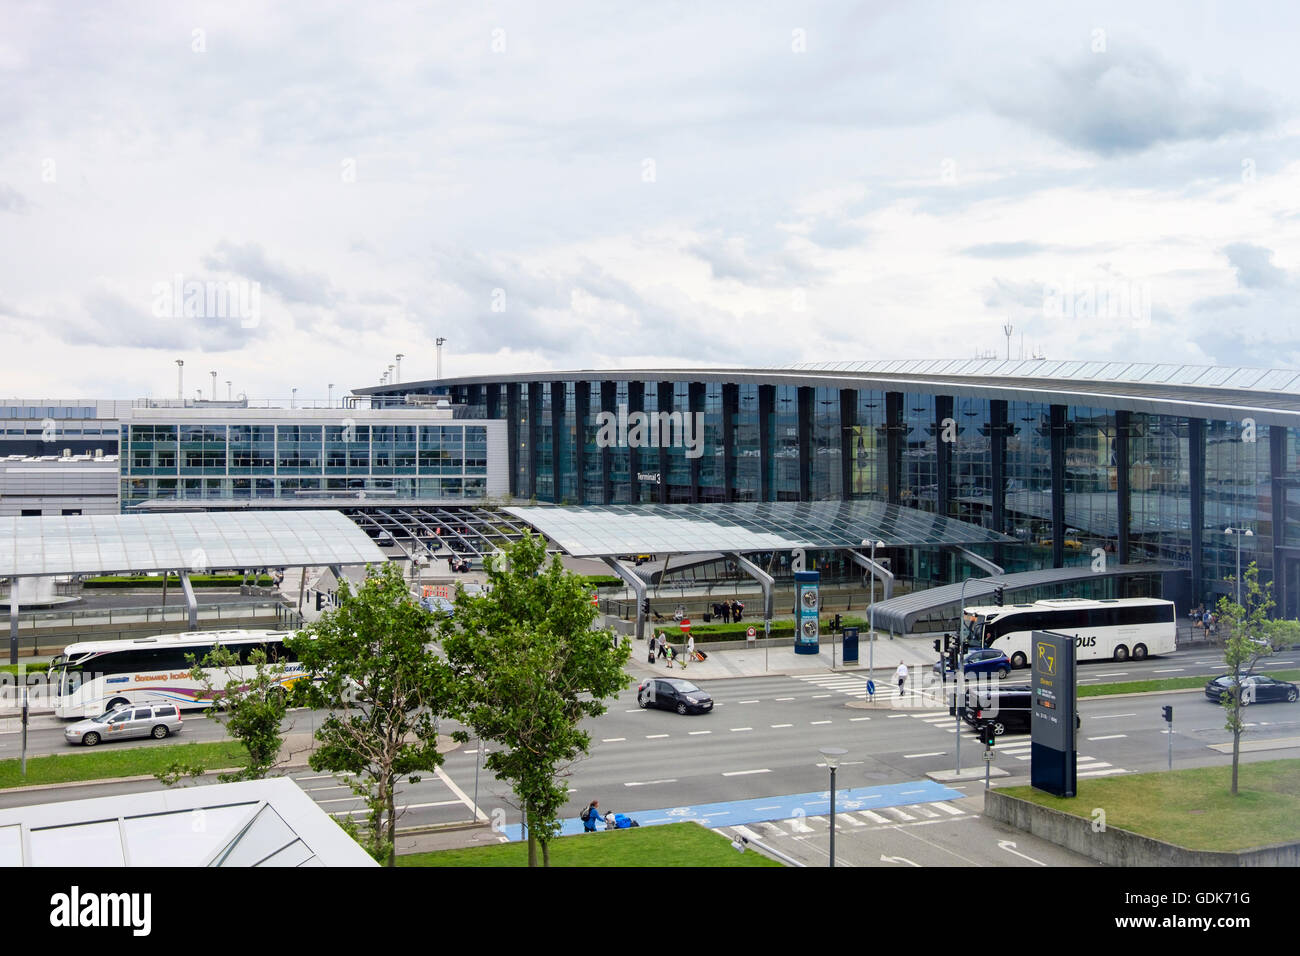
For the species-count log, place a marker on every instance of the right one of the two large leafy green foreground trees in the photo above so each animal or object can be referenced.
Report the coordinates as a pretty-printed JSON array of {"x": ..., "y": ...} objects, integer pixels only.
[{"x": 532, "y": 671}]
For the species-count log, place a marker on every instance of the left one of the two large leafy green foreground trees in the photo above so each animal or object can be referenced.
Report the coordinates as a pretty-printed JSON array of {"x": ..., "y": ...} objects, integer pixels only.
[{"x": 371, "y": 668}]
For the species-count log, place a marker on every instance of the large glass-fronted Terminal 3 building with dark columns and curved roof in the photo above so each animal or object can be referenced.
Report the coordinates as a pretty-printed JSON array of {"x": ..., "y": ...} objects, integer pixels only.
[{"x": 1142, "y": 464}]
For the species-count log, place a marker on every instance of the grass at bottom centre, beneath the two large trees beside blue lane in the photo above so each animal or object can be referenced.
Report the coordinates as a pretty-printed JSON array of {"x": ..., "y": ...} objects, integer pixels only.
[{"x": 671, "y": 845}]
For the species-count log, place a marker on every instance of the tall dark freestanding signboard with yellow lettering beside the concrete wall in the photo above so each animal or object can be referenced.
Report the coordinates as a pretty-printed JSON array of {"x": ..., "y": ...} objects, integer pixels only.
[{"x": 1054, "y": 765}]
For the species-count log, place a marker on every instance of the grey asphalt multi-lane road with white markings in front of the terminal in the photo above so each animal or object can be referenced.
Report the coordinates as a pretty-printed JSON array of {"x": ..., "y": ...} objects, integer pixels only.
[{"x": 762, "y": 741}]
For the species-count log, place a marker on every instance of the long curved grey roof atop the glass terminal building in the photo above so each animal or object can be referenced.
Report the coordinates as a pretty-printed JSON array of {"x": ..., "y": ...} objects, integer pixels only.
[{"x": 1211, "y": 392}]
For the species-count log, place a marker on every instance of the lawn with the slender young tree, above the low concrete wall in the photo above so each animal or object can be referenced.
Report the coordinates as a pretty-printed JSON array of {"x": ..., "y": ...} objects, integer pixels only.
[{"x": 1194, "y": 808}]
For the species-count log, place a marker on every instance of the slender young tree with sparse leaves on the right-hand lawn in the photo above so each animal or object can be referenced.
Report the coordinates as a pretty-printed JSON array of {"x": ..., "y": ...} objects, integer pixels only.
[{"x": 1249, "y": 637}]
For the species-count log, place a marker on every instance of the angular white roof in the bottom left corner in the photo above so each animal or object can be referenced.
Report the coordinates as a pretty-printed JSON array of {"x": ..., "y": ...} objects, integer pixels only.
[{"x": 267, "y": 823}]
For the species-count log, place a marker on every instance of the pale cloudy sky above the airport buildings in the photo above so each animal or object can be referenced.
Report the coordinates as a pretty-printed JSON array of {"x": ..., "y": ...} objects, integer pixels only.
[{"x": 591, "y": 185}]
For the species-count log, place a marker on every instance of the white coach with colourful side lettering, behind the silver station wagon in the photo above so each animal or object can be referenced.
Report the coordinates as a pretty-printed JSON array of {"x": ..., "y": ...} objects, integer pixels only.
[{"x": 97, "y": 677}]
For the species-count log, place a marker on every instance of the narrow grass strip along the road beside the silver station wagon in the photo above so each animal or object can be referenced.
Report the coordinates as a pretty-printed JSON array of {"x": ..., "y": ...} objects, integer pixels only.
[{"x": 109, "y": 762}]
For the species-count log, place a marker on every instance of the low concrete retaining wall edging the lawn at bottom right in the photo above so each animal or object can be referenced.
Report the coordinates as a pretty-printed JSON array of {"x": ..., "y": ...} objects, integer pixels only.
[{"x": 1116, "y": 847}]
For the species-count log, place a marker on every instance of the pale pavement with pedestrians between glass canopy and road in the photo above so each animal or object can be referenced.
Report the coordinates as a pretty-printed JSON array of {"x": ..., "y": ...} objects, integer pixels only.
[{"x": 782, "y": 661}]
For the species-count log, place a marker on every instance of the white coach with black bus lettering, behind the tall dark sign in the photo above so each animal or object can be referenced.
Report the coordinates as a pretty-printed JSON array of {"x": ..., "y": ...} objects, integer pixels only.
[{"x": 1106, "y": 630}]
